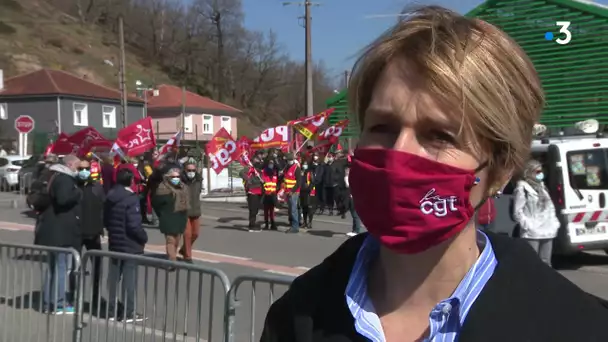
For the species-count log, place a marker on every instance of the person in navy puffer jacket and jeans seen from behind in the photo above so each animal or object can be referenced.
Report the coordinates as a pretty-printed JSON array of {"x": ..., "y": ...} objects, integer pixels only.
[{"x": 125, "y": 235}]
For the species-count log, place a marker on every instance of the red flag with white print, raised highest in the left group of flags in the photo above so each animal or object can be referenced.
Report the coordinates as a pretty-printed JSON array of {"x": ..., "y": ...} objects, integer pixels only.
[{"x": 137, "y": 138}]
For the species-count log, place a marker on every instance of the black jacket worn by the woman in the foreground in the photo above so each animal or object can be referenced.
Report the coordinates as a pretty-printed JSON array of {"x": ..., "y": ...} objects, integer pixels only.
[{"x": 524, "y": 301}]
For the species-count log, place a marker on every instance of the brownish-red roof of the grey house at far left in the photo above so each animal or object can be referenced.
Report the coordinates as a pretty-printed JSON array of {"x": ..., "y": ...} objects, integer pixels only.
[{"x": 58, "y": 82}]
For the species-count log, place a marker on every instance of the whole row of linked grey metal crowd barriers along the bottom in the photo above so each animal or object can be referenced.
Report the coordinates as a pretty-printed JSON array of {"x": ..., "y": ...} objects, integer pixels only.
[{"x": 176, "y": 302}]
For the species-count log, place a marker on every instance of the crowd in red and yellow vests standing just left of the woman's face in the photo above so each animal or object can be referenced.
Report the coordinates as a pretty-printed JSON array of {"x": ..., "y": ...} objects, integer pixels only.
[{"x": 307, "y": 183}]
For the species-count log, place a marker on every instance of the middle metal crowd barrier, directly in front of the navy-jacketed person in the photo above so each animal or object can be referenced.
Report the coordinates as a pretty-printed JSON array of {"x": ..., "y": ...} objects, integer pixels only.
[{"x": 176, "y": 304}]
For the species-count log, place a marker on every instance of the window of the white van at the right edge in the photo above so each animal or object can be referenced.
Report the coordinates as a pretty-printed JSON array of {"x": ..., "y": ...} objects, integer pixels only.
[{"x": 588, "y": 169}]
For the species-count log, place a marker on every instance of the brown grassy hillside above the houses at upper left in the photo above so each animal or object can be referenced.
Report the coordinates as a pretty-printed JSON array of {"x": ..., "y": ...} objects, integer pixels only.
[{"x": 34, "y": 35}]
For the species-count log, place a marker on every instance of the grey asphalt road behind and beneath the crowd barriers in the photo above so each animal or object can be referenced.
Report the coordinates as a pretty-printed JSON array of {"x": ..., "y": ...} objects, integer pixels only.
[{"x": 171, "y": 300}]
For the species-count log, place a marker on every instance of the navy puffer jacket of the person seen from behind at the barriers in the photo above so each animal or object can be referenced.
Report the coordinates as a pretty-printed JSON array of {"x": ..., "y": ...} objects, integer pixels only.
[{"x": 122, "y": 219}]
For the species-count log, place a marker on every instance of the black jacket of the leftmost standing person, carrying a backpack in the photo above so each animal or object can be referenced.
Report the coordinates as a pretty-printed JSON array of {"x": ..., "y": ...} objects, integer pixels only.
[{"x": 58, "y": 225}]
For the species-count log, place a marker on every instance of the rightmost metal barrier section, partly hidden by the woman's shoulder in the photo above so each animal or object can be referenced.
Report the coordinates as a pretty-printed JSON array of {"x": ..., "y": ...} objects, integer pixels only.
[{"x": 234, "y": 303}]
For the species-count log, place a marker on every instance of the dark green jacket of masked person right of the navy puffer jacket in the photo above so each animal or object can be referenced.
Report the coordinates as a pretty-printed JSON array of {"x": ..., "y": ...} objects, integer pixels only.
[{"x": 170, "y": 222}]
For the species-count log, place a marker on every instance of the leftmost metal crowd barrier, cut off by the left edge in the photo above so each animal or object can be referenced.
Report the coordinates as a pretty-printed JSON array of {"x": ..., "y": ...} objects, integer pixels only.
[{"x": 35, "y": 292}]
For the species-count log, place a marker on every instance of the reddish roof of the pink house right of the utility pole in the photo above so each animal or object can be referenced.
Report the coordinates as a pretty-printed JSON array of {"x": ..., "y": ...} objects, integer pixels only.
[{"x": 170, "y": 97}]
